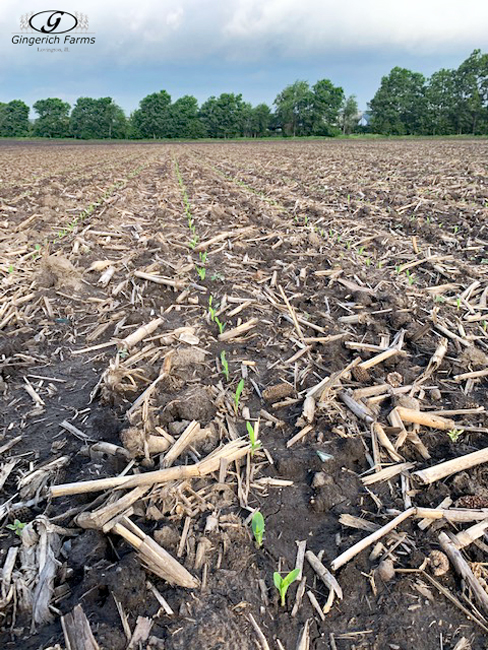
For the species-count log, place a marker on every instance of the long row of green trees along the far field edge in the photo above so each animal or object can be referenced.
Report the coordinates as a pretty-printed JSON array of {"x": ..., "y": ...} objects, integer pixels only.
[{"x": 406, "y": 103}]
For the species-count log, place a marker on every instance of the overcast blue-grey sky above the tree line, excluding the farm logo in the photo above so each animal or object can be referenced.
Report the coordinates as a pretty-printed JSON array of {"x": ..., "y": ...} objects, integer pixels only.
[{"x": 256, "y": 47}]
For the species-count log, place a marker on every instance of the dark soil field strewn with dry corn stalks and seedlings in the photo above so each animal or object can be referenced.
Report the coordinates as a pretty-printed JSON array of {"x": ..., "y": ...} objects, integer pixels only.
[{"x": 342, "y": 286}]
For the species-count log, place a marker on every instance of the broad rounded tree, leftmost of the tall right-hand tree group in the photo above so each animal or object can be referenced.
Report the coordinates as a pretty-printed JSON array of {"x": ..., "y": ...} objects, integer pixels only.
[{"x": 399, "y": 107}]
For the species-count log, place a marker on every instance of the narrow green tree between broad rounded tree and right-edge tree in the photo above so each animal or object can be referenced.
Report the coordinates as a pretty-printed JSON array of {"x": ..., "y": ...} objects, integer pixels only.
[{"x": 441, "y": 103}]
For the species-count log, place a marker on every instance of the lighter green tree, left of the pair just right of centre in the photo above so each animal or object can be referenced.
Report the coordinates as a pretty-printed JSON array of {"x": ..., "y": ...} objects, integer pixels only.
[{"x": 295, "y": 108}]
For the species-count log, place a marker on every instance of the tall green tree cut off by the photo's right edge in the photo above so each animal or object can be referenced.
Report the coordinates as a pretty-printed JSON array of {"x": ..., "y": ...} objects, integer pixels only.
[{"x": 472, "y": 94}]
